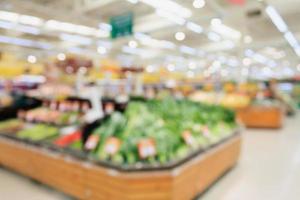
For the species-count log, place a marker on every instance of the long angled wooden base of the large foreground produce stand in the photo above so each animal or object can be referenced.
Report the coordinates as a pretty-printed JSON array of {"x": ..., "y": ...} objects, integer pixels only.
[{"x": 85, "y": 180}]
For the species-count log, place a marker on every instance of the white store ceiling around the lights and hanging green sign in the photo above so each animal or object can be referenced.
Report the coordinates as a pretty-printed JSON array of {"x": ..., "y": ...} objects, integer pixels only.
[{"x": 92, "y": 12}]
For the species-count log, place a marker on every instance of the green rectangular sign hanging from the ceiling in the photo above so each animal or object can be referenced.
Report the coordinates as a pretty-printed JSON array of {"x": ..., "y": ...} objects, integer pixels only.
[{"x": 121, "y": 25}]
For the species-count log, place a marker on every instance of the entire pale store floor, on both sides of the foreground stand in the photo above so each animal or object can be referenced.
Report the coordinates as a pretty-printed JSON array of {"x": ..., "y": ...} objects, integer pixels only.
[{"x": 269, "y": 168}]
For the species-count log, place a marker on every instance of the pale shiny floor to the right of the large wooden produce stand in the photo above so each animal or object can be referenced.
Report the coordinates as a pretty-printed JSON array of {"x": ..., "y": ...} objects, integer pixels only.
[{"x": 269, "y": 167}]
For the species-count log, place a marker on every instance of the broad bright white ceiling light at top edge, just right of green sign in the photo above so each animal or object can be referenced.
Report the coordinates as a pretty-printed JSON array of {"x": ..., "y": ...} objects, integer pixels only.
[{"x": 169, "y": 6}]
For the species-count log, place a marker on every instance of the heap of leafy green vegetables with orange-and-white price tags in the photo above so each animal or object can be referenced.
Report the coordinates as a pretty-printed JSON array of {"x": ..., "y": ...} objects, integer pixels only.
[{"x": 159, "y": 132}]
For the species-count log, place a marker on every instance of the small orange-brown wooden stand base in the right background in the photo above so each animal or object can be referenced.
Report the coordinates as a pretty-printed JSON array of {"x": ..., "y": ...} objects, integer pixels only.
[{"x": 261, "y": 116}]
